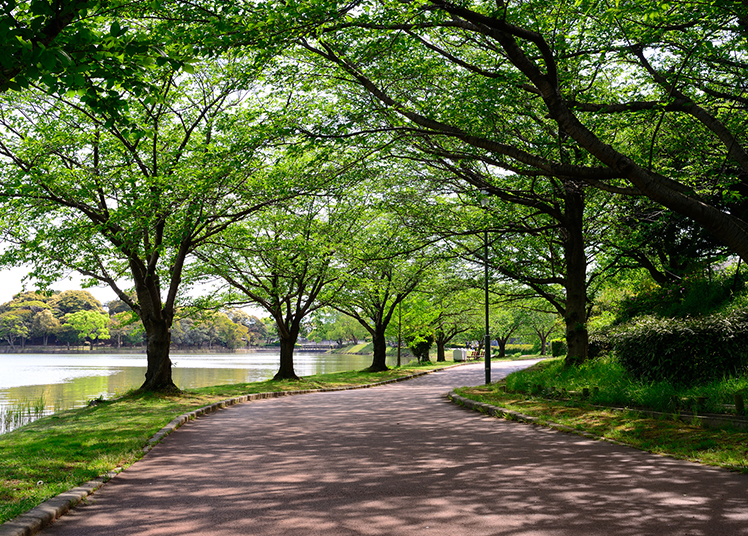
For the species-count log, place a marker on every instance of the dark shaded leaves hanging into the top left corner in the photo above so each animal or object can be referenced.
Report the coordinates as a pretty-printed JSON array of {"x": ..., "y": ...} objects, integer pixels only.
[{"x": 101, "y": 50}]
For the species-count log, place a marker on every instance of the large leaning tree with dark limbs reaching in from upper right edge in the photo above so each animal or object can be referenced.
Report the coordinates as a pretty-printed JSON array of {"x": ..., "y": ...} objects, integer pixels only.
[{"x": 577, "y": 70}]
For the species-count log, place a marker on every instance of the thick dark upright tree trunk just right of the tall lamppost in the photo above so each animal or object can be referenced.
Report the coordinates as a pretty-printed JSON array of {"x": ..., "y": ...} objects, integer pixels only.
[{"x": 575, "y": 317}]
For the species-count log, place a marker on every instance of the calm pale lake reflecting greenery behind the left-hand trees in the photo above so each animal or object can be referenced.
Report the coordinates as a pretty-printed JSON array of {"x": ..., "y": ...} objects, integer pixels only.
[{"x": 67, "y": 381}]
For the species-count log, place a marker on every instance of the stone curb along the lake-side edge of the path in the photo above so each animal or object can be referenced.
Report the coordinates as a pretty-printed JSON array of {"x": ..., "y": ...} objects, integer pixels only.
[{"x": 39, "y": 517}]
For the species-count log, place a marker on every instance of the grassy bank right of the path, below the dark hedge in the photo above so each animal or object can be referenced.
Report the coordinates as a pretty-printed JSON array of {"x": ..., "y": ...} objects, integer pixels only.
[{"x": 554, "y": 394}]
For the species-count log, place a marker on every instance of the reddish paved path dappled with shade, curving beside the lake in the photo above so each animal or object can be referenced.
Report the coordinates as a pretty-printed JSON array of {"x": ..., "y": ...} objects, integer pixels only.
[{"x": 401, "y": 460}]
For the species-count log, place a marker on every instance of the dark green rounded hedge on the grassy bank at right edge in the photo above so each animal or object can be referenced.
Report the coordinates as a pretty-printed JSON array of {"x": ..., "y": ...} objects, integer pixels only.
[{"x": 685, "y": 351}]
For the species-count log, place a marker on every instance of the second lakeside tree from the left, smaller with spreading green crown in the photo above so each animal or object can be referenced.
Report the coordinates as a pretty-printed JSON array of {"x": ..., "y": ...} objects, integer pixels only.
[{"x": 281, "y": 261}]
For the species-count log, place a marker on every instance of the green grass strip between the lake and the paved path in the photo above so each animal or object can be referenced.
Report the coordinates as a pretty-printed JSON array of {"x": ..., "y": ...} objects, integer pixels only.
[{"x": 61, "y": 451}]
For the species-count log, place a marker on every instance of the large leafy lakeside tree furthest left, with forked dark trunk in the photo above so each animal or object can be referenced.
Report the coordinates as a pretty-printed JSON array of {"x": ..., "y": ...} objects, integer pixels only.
[{"x": 130, "y": 197}]
